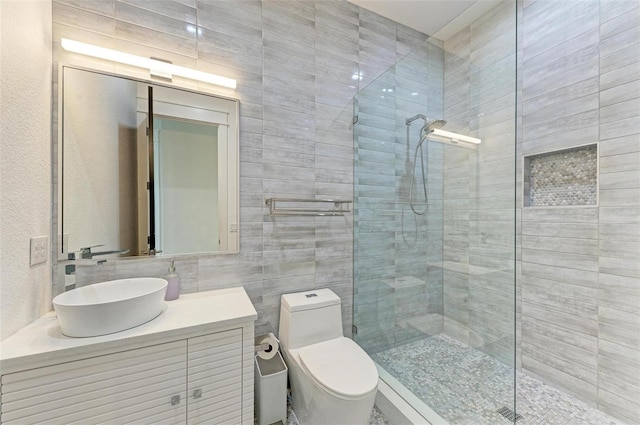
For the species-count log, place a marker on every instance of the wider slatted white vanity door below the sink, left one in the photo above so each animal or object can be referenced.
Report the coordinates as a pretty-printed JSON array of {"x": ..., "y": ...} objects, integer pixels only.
[{"x": 141, "y": 386}]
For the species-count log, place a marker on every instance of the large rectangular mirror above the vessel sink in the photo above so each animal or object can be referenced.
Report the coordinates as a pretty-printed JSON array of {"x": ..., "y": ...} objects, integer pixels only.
[{"x": 145, "y": 168}]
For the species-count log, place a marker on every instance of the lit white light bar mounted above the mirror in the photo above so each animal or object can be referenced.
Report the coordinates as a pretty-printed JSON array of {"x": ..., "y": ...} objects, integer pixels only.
[{"x": 154, "y": 66}]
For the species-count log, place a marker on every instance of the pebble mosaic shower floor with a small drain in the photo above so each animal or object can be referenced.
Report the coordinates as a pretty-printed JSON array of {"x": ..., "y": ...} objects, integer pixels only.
[{"x": 467, "y": 387}]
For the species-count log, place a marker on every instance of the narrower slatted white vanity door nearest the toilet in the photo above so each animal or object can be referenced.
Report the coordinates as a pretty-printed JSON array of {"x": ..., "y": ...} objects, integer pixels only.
[{"x": 214, "y": 382}]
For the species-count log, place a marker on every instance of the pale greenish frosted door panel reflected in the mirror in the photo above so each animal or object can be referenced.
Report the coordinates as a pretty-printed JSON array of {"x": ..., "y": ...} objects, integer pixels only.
[{"x": 186, "y": 190}]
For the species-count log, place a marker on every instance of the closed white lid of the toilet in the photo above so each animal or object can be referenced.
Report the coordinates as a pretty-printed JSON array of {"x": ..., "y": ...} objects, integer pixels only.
[{"x": 341, "y": 367}]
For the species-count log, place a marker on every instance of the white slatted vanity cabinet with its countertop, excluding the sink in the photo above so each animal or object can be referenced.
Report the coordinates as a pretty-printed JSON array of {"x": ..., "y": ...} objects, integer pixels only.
[{"x": 191, "y": 364}]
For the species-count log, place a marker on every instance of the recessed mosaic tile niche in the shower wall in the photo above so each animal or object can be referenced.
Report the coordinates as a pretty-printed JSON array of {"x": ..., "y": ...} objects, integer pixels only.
[{"x": 562, "y": 178}]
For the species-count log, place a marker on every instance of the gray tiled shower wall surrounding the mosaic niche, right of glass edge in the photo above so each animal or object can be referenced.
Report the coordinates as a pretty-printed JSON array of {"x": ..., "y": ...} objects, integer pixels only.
[{"x": 580, "y": 280}]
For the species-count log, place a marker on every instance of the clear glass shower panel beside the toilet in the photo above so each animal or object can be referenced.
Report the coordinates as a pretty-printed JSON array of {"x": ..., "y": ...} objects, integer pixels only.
[{"x": 434, "y": 224}]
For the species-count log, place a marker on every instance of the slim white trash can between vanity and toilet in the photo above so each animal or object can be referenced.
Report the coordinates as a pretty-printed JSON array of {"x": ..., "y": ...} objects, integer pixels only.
[{"x": 270, "y": 390}]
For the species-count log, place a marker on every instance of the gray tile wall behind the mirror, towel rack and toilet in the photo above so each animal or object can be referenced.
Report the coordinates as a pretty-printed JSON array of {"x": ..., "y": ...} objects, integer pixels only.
[{"x": 295, "y": 64}]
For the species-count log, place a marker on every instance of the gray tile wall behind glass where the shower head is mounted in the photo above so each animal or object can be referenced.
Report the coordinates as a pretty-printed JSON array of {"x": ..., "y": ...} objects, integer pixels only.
[{"x": 397, "y": 264}]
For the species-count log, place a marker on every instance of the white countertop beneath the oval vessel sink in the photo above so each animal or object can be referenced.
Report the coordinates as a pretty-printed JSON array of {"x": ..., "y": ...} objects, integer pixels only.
[{"x": 42, "y": 340}]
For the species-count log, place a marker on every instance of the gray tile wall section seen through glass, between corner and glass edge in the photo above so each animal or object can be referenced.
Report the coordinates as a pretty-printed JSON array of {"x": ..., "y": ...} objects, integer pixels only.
[{"x": 479, "y": 222}]
